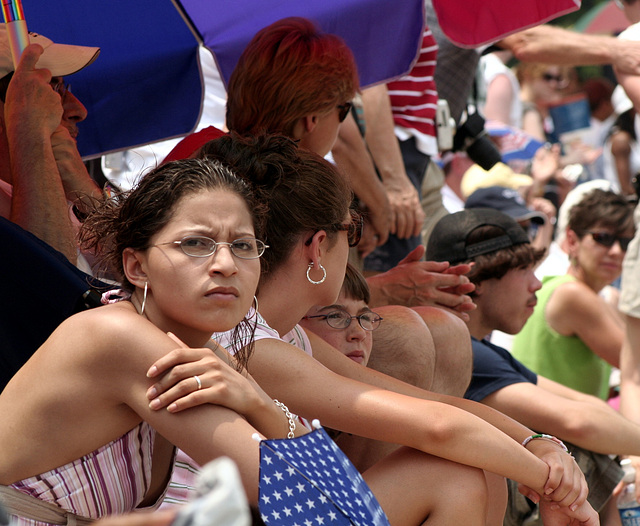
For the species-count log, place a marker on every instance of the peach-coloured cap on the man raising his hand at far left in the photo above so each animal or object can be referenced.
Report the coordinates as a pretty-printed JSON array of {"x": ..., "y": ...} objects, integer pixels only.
[{"x": 60, "y": 59}]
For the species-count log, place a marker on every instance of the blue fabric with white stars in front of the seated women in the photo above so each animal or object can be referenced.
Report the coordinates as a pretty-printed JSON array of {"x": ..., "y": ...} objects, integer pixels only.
[{"x": 309, "y": 481}]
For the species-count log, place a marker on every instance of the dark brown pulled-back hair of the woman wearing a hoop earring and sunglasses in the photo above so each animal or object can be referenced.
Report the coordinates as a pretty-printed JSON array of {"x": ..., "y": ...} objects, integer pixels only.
[{"x": 302, "y": 191}]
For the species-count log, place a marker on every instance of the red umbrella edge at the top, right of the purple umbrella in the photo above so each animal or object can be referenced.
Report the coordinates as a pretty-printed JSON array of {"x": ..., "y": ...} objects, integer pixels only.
[{"x": 471, "y": 23}]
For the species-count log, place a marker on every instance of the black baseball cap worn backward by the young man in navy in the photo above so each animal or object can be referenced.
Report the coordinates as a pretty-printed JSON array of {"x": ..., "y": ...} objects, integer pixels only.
[{"x": 448, "y": 240}]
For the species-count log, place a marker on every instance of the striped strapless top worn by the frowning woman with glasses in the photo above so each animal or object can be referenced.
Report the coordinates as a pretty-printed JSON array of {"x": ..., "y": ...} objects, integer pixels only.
[{"x": 111, "y": 480}]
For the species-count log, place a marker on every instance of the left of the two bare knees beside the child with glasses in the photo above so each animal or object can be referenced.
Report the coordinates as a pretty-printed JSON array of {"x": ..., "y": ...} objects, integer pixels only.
[{"x": 403, "y": 346}]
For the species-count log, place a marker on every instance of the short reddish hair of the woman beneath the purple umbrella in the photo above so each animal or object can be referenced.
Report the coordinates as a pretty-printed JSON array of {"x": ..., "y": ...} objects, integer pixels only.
[{"x": 287, "y": 71}]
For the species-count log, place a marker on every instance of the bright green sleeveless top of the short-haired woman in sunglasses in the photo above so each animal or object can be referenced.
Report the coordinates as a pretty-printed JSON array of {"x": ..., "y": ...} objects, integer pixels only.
[{"x": 563, "y": 359}]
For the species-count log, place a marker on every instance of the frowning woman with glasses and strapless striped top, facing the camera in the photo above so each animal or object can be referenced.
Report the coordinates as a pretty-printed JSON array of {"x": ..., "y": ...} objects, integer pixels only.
[{"x": 78, "y": 436}]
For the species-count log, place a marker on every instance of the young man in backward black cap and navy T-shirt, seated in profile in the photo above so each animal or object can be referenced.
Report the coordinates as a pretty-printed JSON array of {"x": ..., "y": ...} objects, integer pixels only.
[{"x": 503, "y": 264}]
